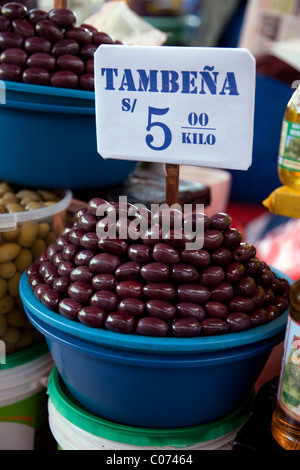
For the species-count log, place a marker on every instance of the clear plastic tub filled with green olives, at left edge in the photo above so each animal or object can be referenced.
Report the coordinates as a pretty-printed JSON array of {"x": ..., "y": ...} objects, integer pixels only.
[{"x": 30, "y": 220}]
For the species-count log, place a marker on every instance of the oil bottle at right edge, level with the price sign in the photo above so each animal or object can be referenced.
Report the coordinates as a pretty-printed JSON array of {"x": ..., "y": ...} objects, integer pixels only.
[{"x": 289, "y": 149}]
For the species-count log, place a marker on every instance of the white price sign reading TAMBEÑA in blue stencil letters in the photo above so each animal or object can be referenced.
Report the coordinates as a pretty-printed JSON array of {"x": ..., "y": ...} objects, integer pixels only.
[{"x": 181, "y": 105}]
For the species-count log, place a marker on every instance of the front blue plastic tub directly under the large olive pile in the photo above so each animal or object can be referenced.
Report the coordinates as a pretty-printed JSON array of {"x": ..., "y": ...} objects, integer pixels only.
[{"x": 154, "y": 382}]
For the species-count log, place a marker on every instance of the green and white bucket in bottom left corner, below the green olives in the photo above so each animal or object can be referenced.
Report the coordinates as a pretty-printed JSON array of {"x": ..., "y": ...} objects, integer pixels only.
[{"x": 23, "y": 397}]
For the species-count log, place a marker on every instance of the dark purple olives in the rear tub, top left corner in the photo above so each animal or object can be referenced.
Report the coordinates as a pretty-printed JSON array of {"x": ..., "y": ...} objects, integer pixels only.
[{"x": 43, "y": 48}]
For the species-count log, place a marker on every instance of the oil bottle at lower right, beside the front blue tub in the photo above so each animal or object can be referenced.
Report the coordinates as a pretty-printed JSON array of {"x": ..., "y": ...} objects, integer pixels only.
[{"x": 285, "y": 425}]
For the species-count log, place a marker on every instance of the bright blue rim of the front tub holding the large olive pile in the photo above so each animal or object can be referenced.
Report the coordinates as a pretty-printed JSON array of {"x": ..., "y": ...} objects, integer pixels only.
[{"x": 150, "y": 344}]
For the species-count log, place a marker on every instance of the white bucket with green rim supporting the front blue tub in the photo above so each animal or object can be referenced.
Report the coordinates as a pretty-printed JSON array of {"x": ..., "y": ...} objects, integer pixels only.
[{"x": 74, "y": 428}]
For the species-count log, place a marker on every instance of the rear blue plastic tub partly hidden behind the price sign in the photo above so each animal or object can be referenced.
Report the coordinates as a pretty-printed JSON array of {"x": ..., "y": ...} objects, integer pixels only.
[{"x": 48, "y": 139}]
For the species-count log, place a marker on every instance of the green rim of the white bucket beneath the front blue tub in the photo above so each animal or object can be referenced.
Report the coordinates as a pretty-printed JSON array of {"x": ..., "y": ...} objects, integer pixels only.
[{"x": 73, "y": 412}]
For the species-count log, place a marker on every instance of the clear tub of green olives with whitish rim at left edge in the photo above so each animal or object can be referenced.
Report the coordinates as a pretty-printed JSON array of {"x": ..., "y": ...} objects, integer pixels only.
[{"x": 24, "y": 235}]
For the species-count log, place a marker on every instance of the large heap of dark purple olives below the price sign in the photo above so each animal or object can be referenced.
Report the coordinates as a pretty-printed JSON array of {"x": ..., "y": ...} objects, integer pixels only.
[{"x": 154, "y": 285}]
